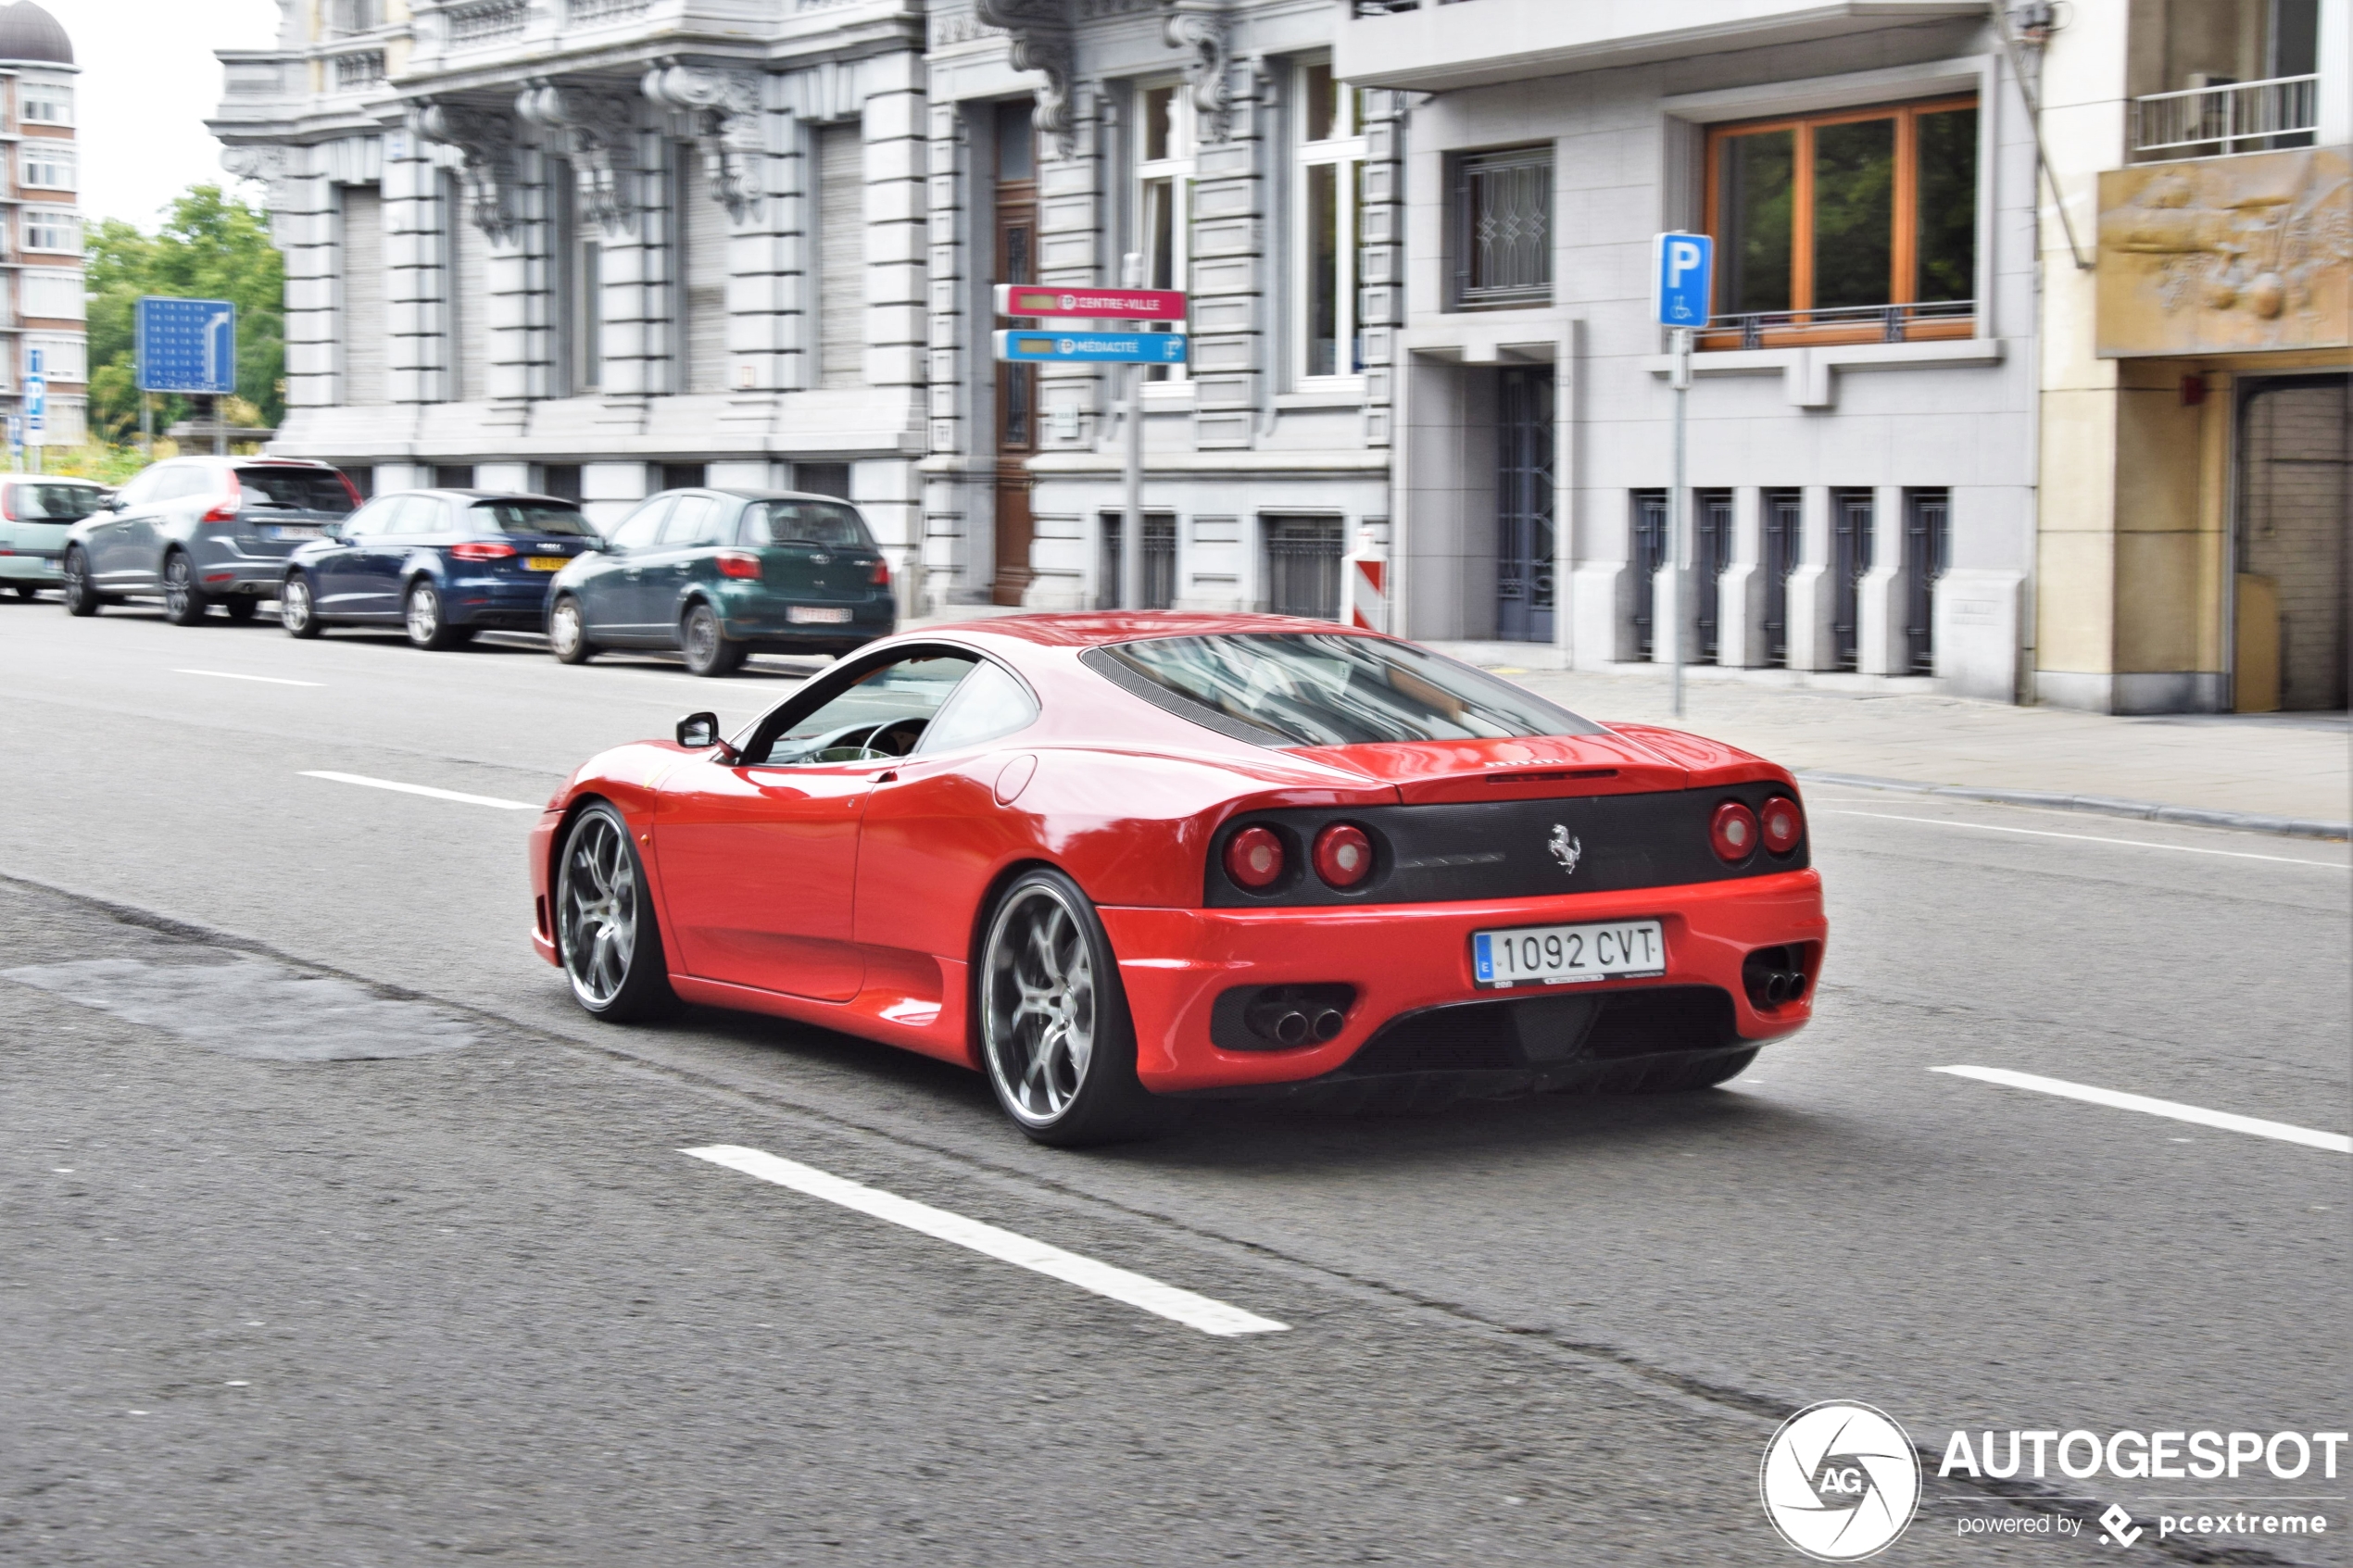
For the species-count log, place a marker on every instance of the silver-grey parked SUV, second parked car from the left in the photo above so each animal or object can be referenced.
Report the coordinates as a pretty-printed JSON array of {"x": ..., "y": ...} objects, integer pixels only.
[{"x": 204, "y": 532}]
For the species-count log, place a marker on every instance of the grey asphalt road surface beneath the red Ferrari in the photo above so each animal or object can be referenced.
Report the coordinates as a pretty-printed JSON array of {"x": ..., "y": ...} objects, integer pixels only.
[{"x": 429, "y": 1275}]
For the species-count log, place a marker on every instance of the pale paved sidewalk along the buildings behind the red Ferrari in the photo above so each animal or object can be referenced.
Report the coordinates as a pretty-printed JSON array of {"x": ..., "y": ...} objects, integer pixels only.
[{"x": 2277, "y": 772}]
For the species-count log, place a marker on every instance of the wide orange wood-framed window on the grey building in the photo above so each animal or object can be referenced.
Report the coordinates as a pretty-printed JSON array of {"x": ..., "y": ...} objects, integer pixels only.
[{"x": 1846, "y": 227}]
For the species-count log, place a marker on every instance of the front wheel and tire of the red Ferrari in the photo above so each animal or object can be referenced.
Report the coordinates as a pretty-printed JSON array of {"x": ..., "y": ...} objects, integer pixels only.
[{"x": 606, "y": 932}]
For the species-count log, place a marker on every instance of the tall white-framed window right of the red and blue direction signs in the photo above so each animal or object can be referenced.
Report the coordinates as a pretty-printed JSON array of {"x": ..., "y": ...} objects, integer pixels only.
[{"x": 1331, "y": 236}]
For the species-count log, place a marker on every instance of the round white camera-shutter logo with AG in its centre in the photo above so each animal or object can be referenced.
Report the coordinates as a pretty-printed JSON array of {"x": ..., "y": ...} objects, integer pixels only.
[{"x": 1841, "y": 1482}]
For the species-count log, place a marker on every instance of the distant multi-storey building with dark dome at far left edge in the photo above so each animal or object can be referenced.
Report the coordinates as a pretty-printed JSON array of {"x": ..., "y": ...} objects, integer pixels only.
[{"x": 44, "y": 234}]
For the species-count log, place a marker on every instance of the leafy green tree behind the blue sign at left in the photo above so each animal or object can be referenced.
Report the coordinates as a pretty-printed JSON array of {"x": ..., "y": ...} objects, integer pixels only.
[{"x": 211, "y": 246}]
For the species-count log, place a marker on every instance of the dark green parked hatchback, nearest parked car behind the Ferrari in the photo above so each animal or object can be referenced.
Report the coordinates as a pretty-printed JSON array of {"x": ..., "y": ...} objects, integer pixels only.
[{"x": 724, "y": 572}]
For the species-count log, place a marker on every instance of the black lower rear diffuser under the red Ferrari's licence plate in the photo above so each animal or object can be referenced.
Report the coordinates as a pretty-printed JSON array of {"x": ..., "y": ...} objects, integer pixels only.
[{"x": 1488, "y": 1036}]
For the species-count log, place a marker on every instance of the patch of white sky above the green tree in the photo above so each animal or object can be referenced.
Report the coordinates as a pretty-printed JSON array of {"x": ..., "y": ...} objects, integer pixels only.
[{"x": 147, "y": 86}]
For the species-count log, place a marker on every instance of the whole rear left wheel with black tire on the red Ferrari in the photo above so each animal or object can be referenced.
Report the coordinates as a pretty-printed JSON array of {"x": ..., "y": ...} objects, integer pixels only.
[{"x": 1058, "y": 1040}]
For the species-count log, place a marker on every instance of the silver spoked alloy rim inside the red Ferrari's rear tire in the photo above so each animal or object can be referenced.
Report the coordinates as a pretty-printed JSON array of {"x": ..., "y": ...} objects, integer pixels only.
[{"x": 1039, "y": 1005}]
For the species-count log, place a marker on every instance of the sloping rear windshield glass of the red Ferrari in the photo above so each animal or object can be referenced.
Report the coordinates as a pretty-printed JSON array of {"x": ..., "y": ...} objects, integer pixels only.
[{"x": 1338, "y": 690}]
